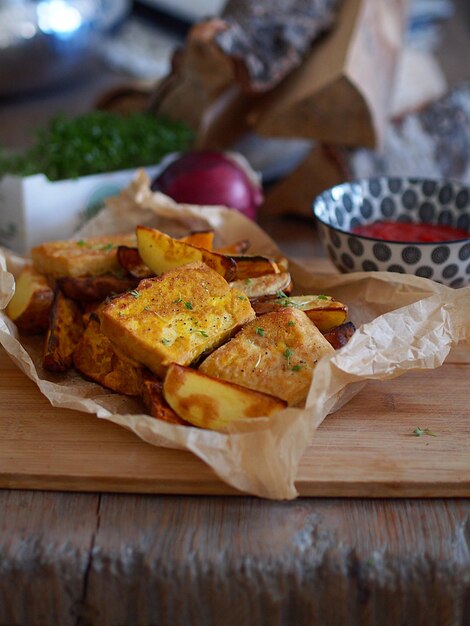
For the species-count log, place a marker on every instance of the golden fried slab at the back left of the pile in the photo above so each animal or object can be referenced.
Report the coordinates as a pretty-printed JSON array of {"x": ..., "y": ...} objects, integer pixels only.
[{"x": 94, "y": 256}]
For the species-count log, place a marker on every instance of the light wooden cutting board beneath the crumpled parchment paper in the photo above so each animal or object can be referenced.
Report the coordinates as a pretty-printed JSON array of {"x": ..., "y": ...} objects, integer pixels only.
[{"x": 366, "y": 449}]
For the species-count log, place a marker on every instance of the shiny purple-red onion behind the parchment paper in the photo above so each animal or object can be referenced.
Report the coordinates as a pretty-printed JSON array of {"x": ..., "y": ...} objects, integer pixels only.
[{"x": 208, "y": 178}]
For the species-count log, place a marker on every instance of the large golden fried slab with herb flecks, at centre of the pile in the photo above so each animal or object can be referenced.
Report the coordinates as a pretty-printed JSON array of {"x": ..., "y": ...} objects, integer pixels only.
[{"x": 177, "y": 317}]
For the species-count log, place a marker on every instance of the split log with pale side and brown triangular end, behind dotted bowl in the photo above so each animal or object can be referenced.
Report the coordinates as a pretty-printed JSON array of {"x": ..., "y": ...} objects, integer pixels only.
[{"x": 341, "y": 94}]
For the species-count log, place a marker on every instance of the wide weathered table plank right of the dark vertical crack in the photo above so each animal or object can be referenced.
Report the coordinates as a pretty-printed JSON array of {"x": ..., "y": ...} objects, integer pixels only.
[{"x": 243, "y": 561}]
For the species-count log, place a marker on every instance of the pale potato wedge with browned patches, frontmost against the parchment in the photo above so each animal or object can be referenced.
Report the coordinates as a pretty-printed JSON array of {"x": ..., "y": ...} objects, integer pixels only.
[{"x": 211, "y": 403}]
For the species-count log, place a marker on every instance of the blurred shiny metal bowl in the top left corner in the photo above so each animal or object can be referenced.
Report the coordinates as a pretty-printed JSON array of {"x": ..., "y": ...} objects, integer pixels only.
[{"x": 44, "y": 42}]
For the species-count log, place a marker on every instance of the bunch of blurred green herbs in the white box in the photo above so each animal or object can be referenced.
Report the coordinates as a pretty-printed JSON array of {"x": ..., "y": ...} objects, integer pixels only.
[{"x": 97, "y": 142}]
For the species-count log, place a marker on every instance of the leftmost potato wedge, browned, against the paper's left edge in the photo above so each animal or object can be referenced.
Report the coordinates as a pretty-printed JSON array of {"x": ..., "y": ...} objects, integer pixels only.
[{"x": 31, "y": 304}]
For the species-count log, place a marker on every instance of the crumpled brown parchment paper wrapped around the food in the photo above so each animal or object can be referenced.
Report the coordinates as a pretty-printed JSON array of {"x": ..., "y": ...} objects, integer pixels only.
[{"x": 404, "y": 323}]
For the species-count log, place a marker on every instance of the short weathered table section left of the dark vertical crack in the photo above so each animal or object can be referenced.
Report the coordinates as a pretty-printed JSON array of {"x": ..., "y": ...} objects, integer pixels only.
[{"x": 45, "y": 547}]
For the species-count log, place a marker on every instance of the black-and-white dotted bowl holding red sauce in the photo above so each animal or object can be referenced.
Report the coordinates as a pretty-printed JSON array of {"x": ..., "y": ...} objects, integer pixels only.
[{"x": 341, "y": 209}]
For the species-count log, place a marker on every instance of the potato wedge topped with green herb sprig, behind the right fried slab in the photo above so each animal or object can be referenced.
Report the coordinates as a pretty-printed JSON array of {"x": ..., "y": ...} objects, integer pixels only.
[{"x": 325, "y": 312}]
